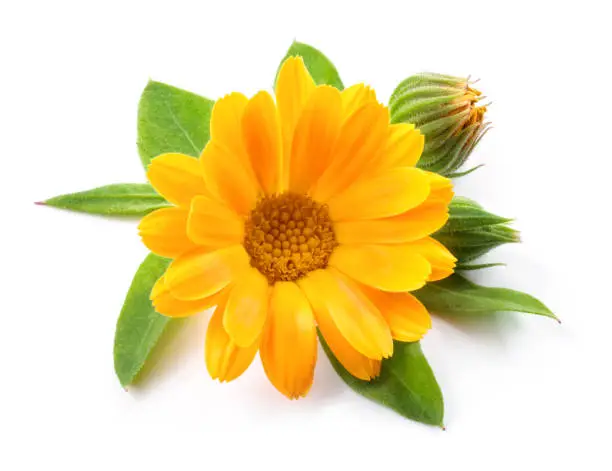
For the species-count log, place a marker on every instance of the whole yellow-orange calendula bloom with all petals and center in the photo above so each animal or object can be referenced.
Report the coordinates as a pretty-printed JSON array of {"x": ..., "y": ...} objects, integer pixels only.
[{"x": 303, "y": 213}]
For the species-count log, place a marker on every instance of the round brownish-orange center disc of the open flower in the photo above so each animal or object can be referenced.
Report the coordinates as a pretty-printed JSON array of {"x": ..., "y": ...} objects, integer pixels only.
[{"x": 289, "y": 235}]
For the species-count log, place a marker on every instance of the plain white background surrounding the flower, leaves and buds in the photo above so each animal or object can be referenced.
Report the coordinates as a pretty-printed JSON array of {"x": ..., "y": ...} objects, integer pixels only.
[{"x": 522, "y": 392}]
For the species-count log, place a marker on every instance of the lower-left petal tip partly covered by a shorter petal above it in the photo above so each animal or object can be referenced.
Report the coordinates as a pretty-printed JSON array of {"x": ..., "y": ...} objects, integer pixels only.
[{"x": 225, "y": 360}]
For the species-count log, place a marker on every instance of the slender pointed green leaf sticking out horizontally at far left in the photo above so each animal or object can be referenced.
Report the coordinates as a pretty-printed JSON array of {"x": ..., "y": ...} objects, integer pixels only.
[{"x": 122, "y": 199}]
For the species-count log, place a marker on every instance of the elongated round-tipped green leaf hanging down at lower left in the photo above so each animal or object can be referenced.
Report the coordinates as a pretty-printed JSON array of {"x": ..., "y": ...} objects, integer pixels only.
[{"x": 139, "y": 327}]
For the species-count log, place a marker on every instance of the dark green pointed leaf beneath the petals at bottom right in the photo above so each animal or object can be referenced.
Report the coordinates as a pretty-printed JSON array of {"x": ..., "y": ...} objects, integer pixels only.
[{"x": 406, "y": 384}]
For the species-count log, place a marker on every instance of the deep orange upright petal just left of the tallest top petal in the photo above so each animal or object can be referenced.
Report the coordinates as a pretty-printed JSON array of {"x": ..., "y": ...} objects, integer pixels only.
[{"x": 262, "y": 138}]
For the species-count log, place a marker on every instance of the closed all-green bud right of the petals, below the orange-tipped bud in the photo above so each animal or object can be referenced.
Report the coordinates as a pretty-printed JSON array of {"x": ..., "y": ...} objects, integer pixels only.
[{"x": 472, "y": 232}]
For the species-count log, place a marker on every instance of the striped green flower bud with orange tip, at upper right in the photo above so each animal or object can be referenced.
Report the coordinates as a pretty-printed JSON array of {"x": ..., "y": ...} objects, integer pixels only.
[{"x": 446, "y": 111}]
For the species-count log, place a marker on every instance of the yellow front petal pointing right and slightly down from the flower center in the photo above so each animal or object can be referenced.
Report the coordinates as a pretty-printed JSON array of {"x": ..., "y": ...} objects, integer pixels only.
[{"x": 394, "y": 268}]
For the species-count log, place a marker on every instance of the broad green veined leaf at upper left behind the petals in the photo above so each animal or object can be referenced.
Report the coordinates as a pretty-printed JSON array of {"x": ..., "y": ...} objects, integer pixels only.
[{"x": 172, "y": 120}]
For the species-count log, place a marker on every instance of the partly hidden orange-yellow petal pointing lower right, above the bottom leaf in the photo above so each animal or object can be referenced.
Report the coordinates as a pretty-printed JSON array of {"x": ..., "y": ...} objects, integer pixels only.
[{"x": 407, "y": 317}]
